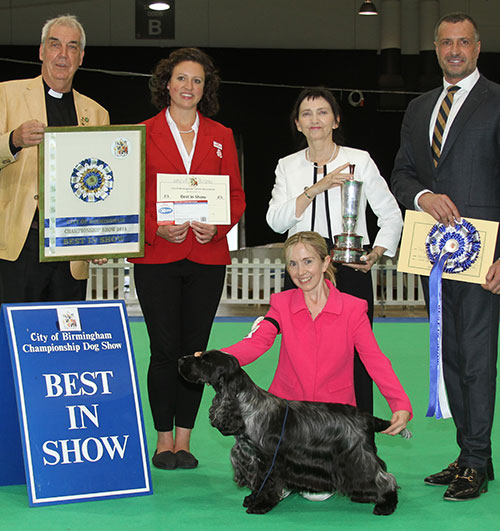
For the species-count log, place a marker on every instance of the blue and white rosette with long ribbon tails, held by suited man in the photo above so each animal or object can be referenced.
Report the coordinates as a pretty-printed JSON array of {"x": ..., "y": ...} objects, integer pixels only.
[{"x": 450, "y": 250}]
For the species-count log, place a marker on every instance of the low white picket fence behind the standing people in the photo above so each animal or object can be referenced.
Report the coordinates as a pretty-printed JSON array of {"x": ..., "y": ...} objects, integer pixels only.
[{"x": 252, "y": 282}]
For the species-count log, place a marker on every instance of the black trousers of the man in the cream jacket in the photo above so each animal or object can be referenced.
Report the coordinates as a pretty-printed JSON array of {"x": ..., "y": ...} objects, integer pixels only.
[{"x": 29, "y": 280}]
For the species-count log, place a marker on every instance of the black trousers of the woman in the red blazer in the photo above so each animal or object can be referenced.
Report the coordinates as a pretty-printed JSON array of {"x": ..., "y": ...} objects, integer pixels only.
[{"x": 179, "y": 302}]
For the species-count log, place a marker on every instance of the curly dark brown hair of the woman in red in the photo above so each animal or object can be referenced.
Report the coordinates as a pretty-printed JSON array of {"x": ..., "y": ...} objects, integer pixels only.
[{"x": 209, "y": 104}]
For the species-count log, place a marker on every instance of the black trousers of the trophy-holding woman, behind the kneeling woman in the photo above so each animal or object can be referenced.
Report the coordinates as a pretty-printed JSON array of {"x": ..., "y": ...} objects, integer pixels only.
[{"x": 359, "y": 284}]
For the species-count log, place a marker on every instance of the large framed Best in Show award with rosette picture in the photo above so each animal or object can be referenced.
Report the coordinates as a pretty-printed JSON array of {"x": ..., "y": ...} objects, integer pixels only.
[{"x": 91, "y": 192}]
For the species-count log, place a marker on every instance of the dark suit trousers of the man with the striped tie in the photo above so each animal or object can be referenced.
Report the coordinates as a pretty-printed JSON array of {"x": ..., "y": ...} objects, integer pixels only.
[{"x": 470, "y": 351}]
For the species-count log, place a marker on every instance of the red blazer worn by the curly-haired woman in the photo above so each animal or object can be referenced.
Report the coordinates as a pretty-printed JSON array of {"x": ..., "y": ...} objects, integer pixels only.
[{"x": 162, "y": 156}]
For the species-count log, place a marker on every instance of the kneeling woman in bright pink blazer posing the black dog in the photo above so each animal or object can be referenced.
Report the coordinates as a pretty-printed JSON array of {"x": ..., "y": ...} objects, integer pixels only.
[{"x": 320, "y": 328}]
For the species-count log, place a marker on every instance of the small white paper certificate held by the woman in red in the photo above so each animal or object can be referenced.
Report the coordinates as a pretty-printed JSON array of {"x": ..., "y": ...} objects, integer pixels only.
[{"x": 182, "y": 197}]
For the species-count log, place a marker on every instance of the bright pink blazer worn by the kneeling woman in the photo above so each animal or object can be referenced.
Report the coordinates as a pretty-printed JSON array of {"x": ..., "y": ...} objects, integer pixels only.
[{"x": 317, "y": 356}]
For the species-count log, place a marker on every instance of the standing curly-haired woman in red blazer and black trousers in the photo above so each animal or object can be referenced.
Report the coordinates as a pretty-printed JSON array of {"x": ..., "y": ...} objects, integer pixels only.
[{"x": 180, "y": 278}]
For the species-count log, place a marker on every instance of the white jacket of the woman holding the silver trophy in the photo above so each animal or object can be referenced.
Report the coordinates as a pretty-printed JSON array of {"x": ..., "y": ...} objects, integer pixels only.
[{"x": 295, "y": 171}]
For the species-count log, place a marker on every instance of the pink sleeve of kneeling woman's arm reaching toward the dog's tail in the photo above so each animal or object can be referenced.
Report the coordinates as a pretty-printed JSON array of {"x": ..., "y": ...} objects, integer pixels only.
[{"x": 378, "y": 365}]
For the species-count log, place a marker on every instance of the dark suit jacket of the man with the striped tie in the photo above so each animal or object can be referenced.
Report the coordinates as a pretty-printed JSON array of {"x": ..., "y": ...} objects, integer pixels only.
[{"x": 469, "y": 166}]
